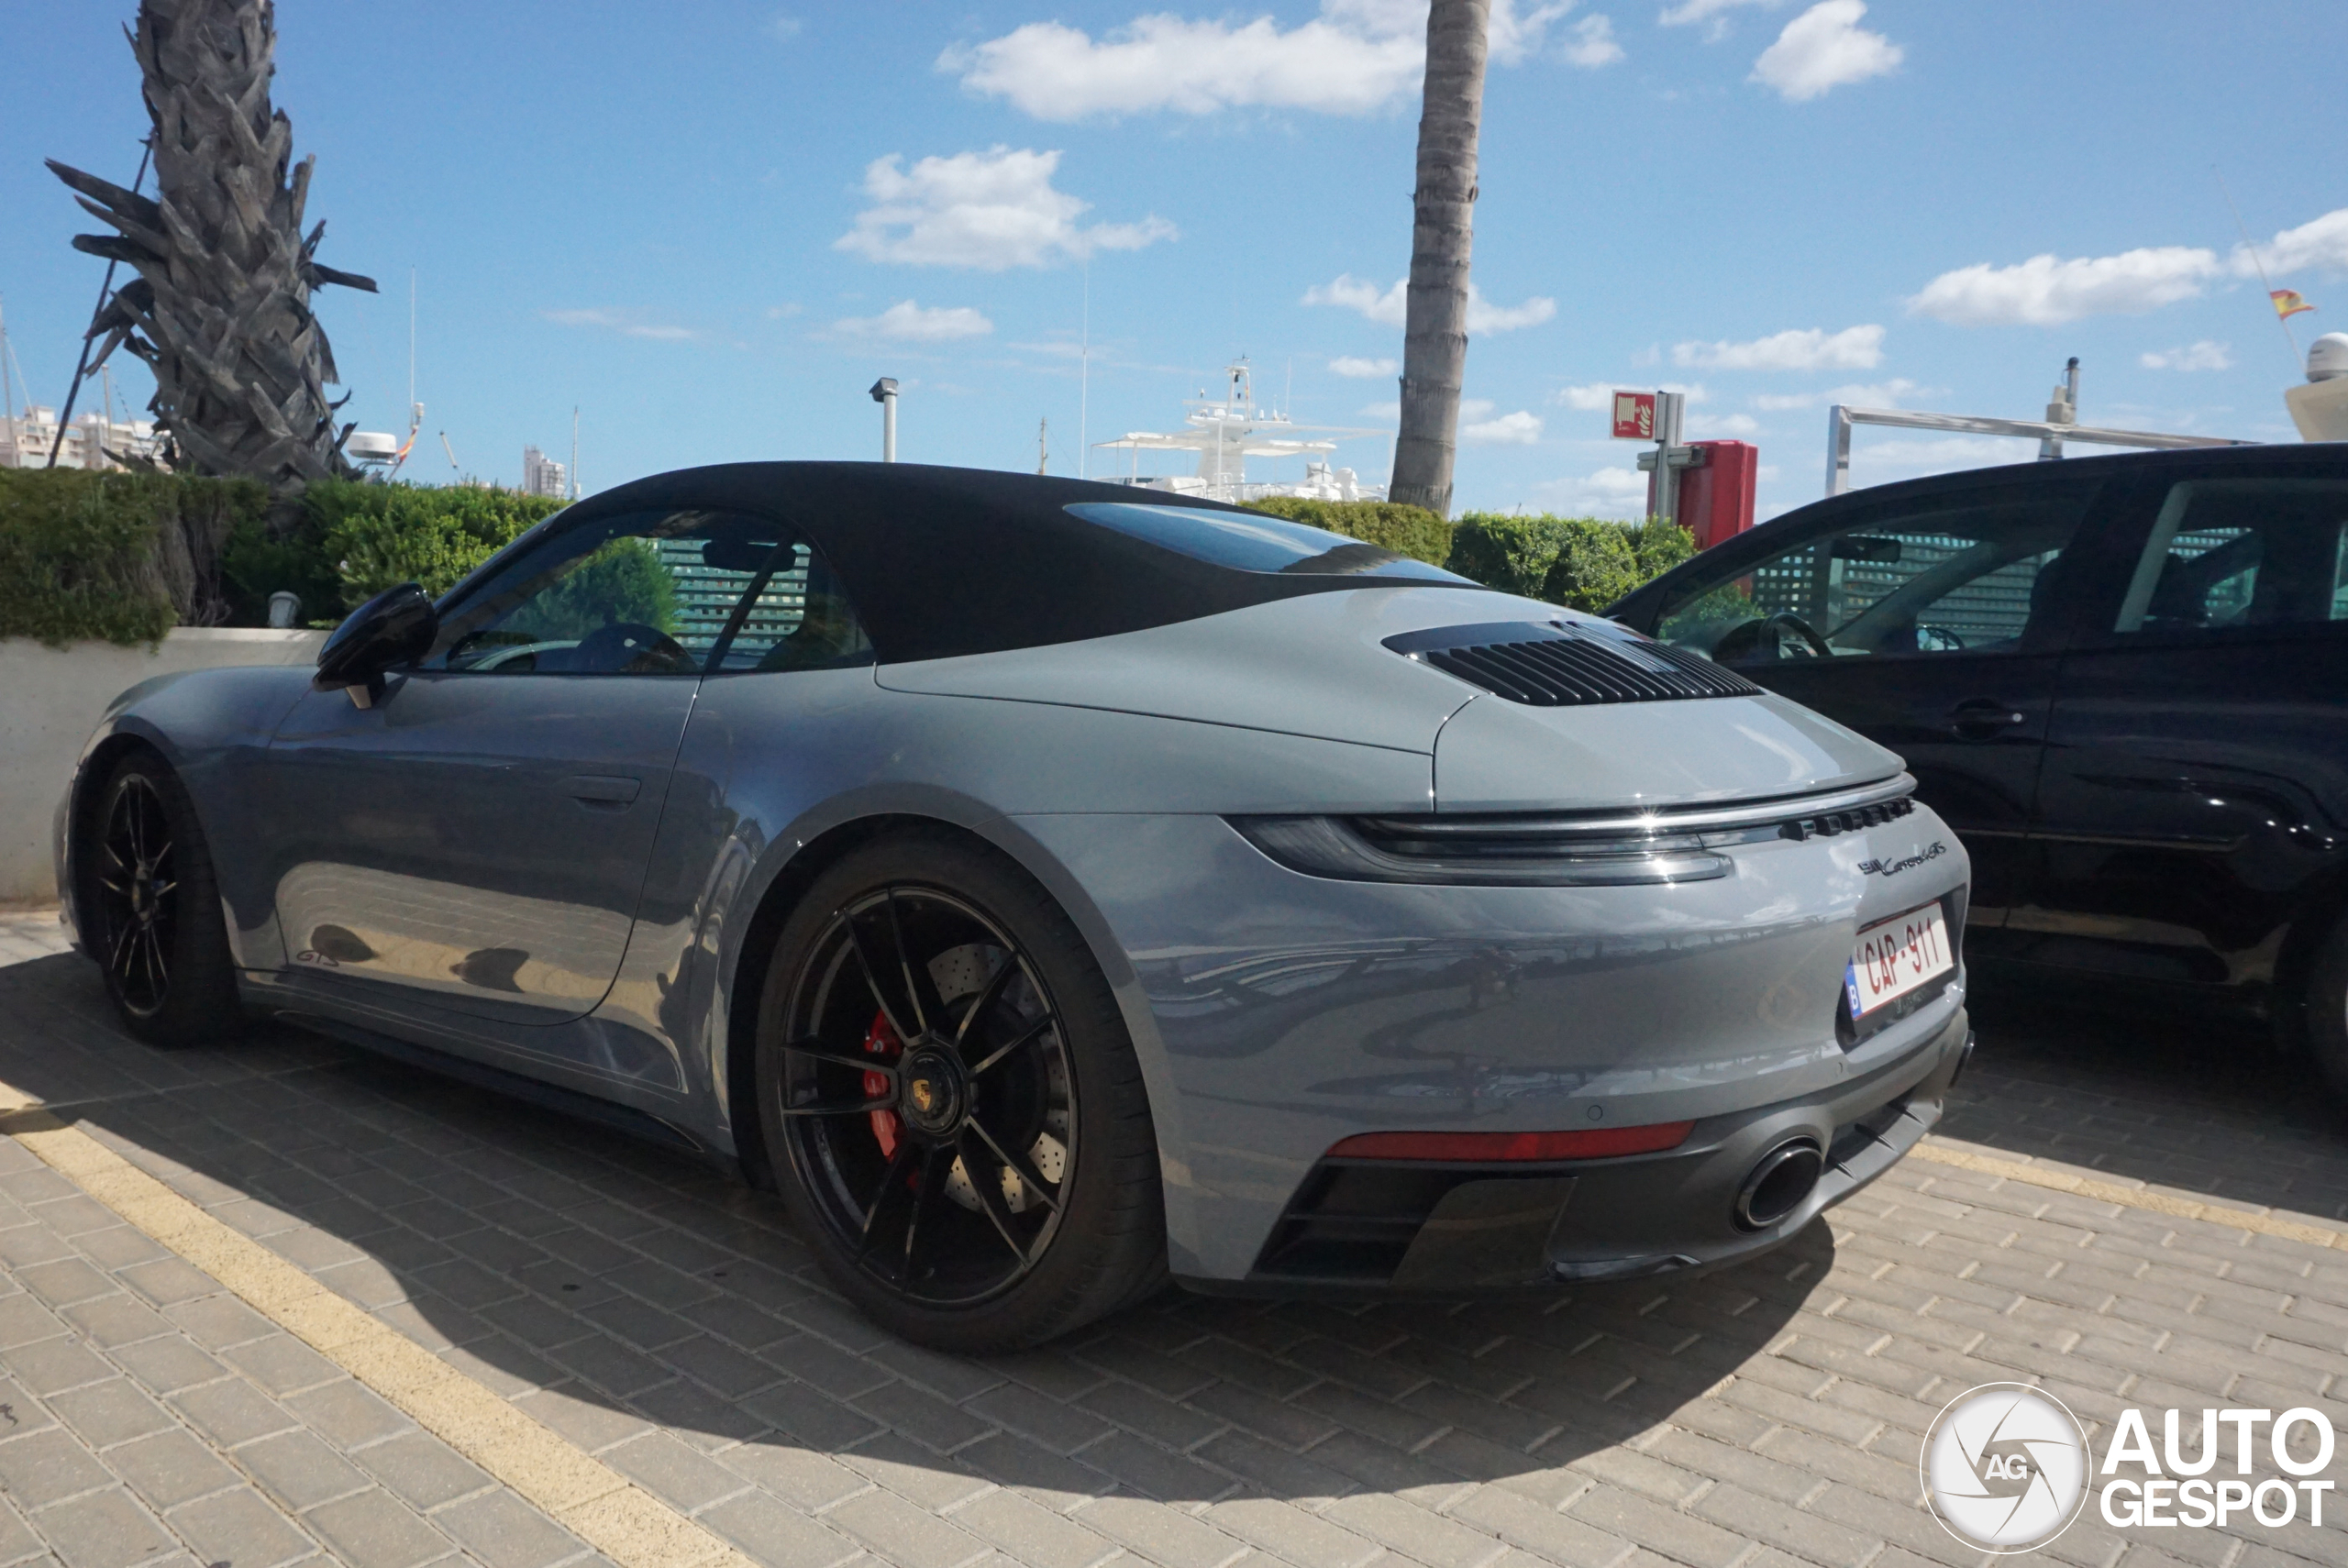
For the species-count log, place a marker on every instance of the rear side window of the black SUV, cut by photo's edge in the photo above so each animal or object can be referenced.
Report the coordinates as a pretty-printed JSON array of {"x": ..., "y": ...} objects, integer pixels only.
[{"x": 2241, "y": 553}]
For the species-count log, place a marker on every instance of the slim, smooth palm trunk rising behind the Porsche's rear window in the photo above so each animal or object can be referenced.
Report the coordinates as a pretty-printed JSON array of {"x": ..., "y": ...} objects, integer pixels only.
[{"x": 1443, "y": 229}]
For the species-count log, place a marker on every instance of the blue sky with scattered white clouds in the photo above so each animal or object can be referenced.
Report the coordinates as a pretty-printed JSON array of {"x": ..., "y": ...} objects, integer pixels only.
[{"x": 713, "y": 227}]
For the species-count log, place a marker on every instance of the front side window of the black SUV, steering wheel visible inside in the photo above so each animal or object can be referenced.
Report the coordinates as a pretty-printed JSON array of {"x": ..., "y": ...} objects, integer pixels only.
[{"x": 1959, "y": 574}]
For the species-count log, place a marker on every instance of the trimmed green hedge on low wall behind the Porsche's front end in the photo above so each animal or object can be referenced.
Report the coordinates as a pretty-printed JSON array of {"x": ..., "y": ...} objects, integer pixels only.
[{"x": 126, "y": 557}]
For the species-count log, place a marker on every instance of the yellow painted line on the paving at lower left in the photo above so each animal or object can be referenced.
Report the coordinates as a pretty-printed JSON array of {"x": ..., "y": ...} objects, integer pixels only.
[{"x": 588, "y": 1496}]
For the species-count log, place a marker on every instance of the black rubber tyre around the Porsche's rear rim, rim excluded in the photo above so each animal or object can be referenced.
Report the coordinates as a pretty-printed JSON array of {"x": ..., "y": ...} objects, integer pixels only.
[{"x": 1093, "y": 1032}]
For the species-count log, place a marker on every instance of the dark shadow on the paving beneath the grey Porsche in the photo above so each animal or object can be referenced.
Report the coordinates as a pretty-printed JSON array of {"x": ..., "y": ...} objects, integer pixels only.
[{"x": 609, "y": 1285}]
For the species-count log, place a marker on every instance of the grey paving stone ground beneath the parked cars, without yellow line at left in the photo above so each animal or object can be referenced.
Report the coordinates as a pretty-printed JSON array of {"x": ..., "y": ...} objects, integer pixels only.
[{"x": 666, "y": 1320}]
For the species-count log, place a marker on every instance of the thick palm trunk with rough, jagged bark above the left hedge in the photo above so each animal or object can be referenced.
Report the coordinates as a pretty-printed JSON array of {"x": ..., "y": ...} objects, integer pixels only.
[{"x": 222, "y": 302}]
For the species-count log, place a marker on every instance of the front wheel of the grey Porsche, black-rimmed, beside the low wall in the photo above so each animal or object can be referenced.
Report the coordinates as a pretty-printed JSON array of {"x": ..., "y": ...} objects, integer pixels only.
[{"x": 154, "y": 910}]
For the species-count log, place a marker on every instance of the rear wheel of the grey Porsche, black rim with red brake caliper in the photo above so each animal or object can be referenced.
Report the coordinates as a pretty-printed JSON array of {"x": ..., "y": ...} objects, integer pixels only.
[{"x": 952, "y": 1104}]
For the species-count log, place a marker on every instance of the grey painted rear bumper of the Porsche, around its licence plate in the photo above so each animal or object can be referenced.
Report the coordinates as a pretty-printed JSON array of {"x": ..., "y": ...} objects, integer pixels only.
[{"x": 1278, "y": 1013}]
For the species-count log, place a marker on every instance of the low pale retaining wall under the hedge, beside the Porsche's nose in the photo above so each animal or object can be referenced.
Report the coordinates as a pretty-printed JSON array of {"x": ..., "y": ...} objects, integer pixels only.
[{"x": 50, "y": 701}]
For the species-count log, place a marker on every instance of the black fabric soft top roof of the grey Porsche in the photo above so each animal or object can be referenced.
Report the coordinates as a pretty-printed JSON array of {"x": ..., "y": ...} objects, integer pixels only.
[{"x": 947, "y": 560}]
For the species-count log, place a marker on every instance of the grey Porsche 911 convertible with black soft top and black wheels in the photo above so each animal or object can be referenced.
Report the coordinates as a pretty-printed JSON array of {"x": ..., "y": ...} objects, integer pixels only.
[{"x": 1055, "y": 888}]
